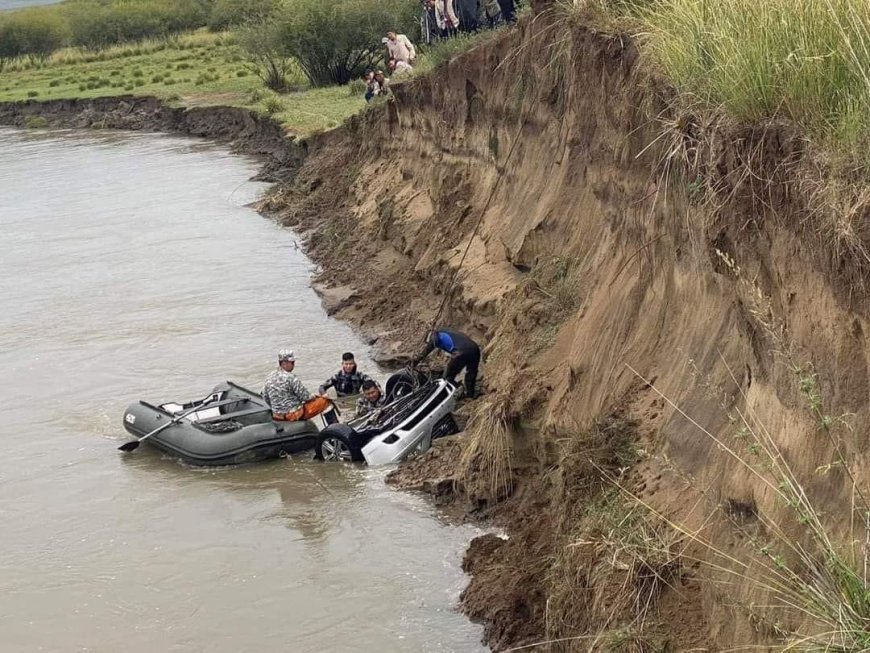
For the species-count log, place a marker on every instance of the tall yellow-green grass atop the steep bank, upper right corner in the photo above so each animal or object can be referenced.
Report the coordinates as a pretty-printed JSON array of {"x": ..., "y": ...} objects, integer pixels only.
[{"x": 805, "y": 60}]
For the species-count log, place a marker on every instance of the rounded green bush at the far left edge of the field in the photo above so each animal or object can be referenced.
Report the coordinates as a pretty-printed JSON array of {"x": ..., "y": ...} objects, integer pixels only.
[{"x": 32, "y": 32}]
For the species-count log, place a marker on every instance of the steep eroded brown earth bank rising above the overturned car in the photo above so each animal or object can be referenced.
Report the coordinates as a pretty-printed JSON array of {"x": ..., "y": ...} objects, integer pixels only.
[{"x": 628, "y": 265}]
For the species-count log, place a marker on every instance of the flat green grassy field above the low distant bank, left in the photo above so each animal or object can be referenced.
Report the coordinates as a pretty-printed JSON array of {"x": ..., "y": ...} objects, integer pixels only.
[{"x": 196, "y": 69}]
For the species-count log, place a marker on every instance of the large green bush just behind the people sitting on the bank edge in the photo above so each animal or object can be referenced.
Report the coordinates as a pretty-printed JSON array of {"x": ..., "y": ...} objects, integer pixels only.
[{"x": 335, "y": 41}]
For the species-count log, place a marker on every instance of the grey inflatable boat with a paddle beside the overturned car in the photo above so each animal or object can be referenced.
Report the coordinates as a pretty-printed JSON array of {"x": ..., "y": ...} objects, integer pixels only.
[{"x": 232, "y": 425}]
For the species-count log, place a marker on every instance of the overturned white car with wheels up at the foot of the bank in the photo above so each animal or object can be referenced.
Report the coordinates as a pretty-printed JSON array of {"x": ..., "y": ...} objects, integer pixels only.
[{"x": 418, "y": 410}]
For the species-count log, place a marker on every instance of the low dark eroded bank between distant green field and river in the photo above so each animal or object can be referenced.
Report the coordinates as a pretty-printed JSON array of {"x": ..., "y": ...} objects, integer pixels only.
[{"x": 246, "y": 131}]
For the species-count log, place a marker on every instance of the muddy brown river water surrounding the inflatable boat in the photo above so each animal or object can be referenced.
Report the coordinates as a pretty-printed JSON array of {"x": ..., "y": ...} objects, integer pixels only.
[{"x": 130, "y": 268}]
